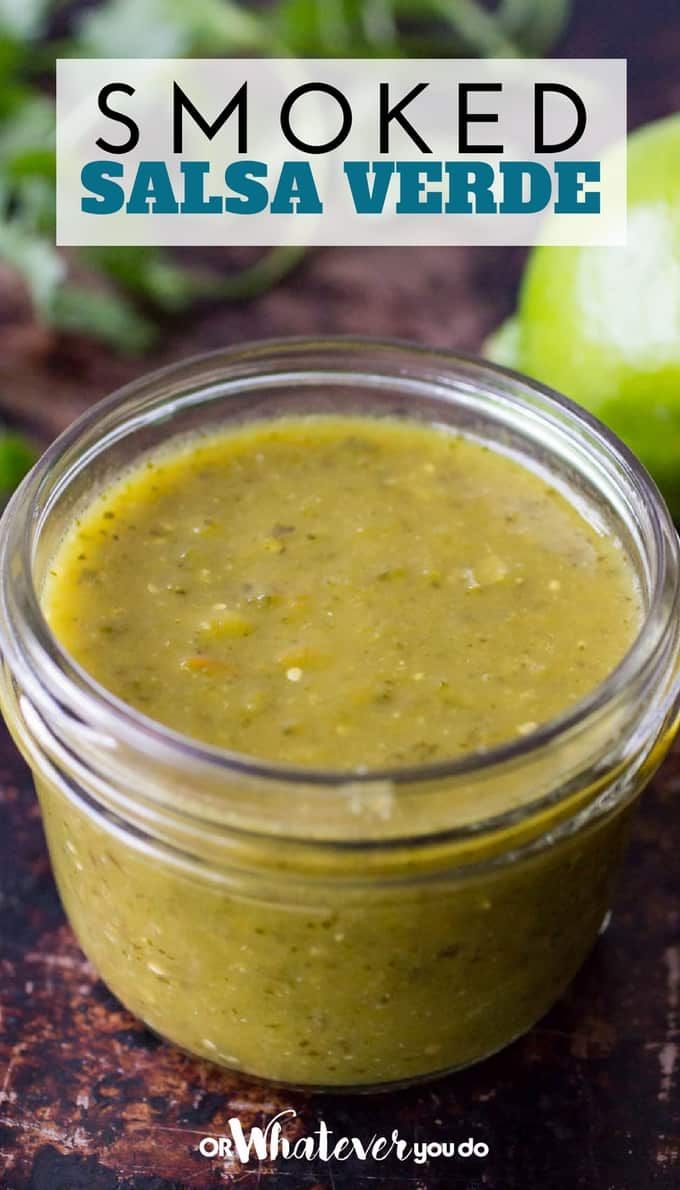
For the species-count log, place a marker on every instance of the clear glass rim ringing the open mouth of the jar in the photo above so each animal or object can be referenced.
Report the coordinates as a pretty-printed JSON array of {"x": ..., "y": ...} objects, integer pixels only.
[{"x": 29, "y": 634}]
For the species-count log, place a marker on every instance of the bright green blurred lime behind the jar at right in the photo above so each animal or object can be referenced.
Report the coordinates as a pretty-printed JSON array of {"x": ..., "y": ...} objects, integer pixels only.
[{"x": 603, "y": 324}]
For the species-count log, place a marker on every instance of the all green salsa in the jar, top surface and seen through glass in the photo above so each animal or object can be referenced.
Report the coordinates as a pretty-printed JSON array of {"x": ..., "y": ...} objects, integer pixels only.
[{"x": 355, "y": 594}]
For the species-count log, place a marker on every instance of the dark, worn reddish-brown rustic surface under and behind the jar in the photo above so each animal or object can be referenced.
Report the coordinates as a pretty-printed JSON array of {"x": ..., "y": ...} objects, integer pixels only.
[{"x": 591, "y": 1099}]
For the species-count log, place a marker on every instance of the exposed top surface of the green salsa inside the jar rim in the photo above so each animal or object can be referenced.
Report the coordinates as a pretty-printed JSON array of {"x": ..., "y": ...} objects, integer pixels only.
[{"x": 342, "y": 592}]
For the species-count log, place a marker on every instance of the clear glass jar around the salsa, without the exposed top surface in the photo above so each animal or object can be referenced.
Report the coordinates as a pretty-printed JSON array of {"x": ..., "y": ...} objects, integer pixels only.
[{"x": 323, "y": 929}]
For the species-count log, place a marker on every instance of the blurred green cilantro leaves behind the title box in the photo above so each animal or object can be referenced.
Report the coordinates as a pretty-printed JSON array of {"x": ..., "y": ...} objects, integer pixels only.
[{"x": 144, "y": 286}]
